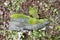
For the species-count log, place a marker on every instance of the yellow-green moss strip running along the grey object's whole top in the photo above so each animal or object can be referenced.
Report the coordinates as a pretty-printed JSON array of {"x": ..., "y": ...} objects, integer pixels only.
[{"x": 31, "y": 20}]
